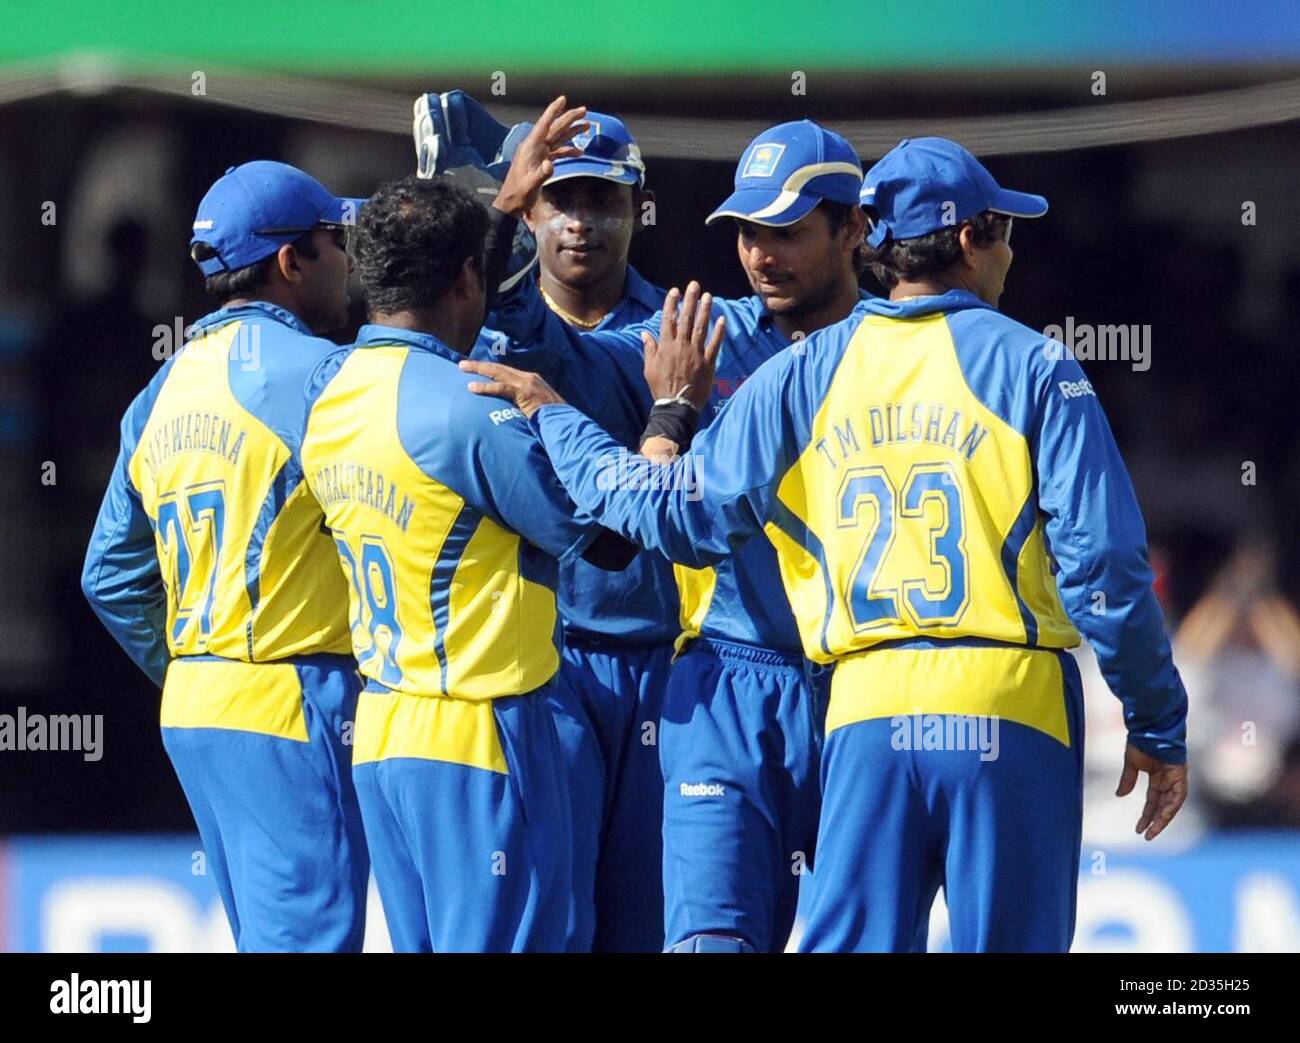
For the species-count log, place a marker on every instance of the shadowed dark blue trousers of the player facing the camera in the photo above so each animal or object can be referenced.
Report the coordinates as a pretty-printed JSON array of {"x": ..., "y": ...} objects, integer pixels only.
[{"x": 606, "y": 704}]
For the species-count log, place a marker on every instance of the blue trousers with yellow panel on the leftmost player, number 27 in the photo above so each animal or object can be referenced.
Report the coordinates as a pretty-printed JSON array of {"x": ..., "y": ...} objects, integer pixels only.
[{"x": 278, "y": 815}]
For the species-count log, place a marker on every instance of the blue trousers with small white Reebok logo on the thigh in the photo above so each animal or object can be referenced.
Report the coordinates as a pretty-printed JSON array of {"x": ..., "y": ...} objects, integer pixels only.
[{"x": 740, "y": 747}]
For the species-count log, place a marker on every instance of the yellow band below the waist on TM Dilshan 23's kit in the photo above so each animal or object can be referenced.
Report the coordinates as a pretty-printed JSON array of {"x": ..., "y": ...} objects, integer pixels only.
[{"x": 1020, "y": 685}]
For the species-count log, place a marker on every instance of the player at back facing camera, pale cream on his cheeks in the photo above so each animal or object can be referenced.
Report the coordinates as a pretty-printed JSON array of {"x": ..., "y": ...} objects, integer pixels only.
[{"x": 619, "y": 627}]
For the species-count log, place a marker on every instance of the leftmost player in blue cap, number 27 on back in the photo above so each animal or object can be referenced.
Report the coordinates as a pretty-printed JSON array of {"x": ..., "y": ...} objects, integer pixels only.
[{"x": 210, "y": 568}]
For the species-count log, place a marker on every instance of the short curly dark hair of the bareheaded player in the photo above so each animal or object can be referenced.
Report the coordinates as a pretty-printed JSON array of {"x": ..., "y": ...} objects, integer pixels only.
[{"x": 413, "y": 240}]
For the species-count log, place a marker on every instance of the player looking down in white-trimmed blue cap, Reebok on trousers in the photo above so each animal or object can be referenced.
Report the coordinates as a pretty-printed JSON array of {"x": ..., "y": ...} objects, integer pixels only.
[{"x": 739, "y": 729}]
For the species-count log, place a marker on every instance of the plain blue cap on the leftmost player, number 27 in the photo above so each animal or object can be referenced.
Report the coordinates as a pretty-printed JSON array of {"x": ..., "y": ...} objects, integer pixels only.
[{"x": 254, "y": 210}]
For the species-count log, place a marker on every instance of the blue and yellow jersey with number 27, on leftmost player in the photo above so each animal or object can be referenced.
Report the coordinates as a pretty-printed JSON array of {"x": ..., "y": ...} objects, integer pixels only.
[{"x": 209, "y": 543}]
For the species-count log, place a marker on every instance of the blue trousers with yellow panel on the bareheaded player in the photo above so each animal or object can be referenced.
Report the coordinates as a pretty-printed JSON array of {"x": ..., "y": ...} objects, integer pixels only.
[{"x": 470, "y": 858}]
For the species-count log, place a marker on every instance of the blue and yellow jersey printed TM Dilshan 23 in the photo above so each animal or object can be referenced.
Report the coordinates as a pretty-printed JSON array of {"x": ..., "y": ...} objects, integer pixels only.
[{"x": 933, "y": 478}]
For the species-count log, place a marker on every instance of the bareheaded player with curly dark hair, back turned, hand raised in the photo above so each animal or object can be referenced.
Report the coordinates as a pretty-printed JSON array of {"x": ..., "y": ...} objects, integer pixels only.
[{"x": 450, "y": 527}]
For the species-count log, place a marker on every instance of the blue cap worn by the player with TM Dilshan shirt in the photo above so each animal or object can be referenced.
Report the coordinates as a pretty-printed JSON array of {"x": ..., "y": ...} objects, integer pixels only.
[{"x": 924, "y": 185}]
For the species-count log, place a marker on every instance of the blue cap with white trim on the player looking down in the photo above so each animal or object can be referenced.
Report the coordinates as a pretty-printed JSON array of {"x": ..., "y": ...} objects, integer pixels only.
[{"x": 787, "y": 171}]
